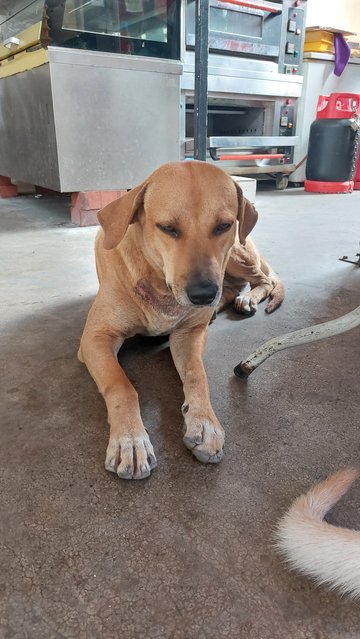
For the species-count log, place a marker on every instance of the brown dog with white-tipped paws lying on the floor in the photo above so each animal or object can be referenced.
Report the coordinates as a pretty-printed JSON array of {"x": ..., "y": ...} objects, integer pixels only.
[{"x": 161, "y": 257}]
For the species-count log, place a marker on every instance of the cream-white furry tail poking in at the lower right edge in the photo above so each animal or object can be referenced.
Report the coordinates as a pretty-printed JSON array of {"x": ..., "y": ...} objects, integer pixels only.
[{"x": 329, "y": 554}]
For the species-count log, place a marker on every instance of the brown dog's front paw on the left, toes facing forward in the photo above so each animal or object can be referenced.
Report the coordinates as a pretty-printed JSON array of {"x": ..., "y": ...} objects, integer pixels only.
[{"x": 130, "y": 457}]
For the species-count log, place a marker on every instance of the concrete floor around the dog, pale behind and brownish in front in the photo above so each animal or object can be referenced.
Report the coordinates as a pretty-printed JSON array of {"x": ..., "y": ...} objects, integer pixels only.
[{"x": 186, "y": 554}]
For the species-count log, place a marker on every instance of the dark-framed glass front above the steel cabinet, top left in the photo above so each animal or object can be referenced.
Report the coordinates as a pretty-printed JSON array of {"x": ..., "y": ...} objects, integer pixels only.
[{"x": 140, "y": 27}]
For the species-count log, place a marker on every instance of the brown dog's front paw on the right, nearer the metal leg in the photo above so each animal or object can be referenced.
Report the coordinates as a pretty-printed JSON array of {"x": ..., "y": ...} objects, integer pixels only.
[{"x": 205, "y": 438}]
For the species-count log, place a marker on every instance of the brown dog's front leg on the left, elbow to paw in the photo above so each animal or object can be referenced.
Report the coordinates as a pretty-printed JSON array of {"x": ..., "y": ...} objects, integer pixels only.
[{"x": 129, "y": 453}]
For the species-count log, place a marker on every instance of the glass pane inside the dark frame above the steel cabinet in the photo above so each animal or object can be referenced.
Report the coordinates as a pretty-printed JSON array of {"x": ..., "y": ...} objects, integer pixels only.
[{"x": 140, "y": 19}]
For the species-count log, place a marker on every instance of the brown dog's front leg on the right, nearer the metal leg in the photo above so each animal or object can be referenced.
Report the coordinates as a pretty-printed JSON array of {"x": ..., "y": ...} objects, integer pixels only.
[{"x": 204, "y": 435}]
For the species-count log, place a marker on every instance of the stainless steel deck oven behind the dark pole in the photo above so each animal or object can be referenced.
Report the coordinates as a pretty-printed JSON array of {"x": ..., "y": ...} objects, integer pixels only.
[{"x": 254, "y": 82}]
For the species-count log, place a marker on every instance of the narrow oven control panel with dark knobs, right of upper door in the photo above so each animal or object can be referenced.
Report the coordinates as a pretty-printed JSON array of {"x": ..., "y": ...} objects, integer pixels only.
[{"x": 294, "y": 40}]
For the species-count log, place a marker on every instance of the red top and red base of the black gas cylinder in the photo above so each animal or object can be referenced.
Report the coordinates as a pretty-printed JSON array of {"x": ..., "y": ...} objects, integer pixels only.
[{"x": 337, "y": 106}]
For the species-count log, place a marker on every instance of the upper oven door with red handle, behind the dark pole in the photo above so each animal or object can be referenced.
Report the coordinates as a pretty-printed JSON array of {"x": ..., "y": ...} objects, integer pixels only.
[{"x": 240, "y": 29}]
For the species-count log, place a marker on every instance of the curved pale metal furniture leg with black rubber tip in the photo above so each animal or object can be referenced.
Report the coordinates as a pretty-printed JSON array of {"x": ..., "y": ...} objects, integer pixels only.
[{"x": 303, "y": 336}]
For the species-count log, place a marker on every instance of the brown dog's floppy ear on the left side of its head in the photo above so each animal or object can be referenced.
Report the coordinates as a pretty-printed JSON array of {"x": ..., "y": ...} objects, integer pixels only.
[{"x": 116, "y": 216}]
